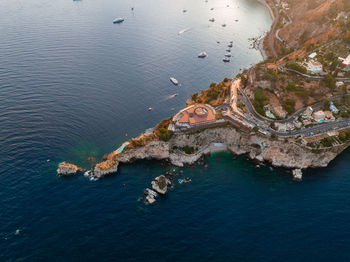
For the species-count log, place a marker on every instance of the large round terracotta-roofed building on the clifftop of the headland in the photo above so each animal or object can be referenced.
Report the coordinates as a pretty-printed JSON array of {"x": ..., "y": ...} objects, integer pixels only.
[{"x": 194, "y": 115}]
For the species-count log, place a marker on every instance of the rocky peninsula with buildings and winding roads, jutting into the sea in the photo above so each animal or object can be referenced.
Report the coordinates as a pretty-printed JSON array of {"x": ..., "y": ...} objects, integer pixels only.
[{"x": 291, "y": 110}]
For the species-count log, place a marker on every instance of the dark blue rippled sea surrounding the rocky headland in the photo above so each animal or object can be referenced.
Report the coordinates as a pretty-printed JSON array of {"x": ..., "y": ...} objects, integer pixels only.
[{"x": 72, "y": 85}]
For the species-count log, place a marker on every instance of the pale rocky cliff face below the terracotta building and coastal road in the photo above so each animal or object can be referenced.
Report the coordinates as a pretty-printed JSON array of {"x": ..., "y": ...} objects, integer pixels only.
[{"x": 278, "y": 153}]
